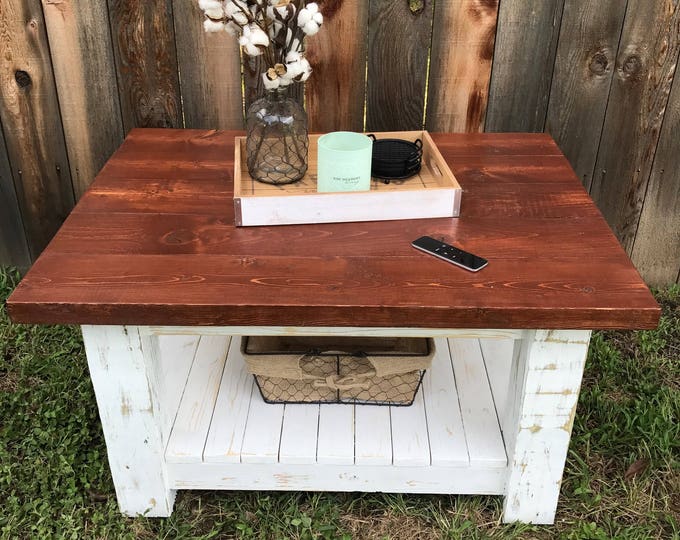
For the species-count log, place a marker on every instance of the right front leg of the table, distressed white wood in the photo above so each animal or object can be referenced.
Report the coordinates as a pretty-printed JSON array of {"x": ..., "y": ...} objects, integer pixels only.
[{"x": 545, "y": 385}]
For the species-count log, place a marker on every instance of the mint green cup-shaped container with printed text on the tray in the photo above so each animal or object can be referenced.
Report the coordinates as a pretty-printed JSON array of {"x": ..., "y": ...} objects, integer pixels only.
[{"x": 344, "y": 162}]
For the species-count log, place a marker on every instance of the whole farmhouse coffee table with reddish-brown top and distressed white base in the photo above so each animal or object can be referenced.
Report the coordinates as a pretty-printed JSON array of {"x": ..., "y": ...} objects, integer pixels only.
[{"x": 150, "y": 264}]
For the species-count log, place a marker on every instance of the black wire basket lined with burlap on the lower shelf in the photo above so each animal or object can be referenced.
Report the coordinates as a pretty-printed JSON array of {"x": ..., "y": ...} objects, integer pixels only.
[{"x": 362, "y": 370}]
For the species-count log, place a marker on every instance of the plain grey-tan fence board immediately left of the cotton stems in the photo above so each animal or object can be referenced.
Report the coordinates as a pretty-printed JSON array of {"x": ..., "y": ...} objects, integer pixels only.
[{"x": 209, "y": 71}]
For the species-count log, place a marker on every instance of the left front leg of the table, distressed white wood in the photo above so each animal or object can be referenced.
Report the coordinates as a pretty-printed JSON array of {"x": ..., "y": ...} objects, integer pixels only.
[{"x": 122, "y": 372}]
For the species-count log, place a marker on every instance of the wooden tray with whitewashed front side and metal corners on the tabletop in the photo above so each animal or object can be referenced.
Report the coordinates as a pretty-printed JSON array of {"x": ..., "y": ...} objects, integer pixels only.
[{"x": 434, "y": 192}]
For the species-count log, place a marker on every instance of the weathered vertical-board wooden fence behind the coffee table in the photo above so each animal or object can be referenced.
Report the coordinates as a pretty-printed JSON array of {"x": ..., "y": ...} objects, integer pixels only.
[{"x": 77, "y": 75}]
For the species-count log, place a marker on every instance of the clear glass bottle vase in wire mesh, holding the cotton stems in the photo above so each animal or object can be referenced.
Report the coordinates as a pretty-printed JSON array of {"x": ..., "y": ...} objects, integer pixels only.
[{"x": 277, "y": 140}]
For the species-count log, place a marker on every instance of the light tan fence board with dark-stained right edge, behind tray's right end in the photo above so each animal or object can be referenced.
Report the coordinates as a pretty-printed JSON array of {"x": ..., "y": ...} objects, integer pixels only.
[{"x": 460, "y": 64}]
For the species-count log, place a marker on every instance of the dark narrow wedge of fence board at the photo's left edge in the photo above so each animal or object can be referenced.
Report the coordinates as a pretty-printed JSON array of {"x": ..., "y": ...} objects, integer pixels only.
[{"x": 13, "y": 248}]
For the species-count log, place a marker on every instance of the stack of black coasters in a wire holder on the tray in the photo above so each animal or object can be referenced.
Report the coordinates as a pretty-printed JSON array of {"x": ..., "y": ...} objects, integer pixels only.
[{"x": 395, "y": 159}]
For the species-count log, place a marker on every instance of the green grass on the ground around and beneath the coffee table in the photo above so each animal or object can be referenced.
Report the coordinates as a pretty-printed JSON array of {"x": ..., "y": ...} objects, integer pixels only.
[{"x": 55, "y": 482}]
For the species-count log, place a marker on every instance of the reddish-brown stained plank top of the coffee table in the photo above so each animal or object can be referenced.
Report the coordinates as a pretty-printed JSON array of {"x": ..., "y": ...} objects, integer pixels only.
[{"x": 153, "y": 241}]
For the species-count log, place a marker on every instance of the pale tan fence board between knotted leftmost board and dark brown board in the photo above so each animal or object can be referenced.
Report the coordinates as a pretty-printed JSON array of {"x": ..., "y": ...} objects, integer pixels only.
[{"x": 84, "y": 70}]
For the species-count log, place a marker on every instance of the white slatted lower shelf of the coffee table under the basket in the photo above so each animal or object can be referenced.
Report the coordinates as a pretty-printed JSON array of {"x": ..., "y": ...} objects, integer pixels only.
[{"x": 449, "y": 441}]
